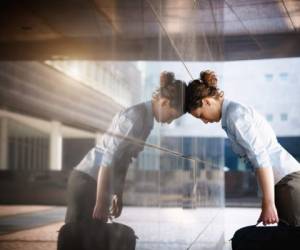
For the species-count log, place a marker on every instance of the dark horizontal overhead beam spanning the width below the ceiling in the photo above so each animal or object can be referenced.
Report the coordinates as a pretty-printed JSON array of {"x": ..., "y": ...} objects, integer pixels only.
[{"x": 234, "y": 48}]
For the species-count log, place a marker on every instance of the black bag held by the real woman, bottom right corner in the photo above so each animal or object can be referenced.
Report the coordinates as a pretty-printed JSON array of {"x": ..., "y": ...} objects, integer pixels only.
[{"x": 266, "y": 238}]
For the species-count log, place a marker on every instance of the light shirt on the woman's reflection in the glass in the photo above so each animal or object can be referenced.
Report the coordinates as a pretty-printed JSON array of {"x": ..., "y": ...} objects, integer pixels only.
[{"x": 122, "y": 141}]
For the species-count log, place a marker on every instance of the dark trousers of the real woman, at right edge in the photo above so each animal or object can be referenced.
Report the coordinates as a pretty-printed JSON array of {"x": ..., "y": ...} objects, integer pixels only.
[{"x": 287, "y": 199}]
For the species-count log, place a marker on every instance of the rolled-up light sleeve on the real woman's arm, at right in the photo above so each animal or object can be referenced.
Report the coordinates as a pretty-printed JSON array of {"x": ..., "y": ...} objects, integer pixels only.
[{"x": 248, "y": 137}]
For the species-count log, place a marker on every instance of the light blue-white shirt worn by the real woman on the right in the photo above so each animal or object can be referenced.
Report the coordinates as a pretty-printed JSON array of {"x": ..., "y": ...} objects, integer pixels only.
[{"x": 253, "y": 138}]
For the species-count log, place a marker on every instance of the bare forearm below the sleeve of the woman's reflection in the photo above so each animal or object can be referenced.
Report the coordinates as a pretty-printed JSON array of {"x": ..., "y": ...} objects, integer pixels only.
[{"x": 101, "y": 210}]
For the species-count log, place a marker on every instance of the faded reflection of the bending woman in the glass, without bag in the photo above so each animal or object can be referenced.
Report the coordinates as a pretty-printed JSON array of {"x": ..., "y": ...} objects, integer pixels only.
[{"x": 103, "y": 170}]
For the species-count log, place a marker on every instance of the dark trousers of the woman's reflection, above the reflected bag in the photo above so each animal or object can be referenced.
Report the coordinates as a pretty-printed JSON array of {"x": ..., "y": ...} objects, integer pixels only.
[{"x": 81, "y": 196}]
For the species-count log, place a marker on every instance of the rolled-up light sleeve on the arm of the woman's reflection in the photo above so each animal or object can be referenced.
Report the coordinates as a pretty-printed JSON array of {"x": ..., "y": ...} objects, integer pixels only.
[{"x": 117, "y": 140}]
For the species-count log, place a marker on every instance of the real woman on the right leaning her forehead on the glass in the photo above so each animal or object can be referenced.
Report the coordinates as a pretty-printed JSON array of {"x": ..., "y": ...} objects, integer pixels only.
[{"x": 253, "y": 138}]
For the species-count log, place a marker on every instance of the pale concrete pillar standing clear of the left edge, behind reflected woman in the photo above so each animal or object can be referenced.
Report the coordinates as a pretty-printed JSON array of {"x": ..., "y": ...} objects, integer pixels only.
[{"x": 55, "y": 146}]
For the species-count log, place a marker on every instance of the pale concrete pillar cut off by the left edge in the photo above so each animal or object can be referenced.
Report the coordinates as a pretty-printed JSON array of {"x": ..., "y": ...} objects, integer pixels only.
[{"x": 3, "y": 143}]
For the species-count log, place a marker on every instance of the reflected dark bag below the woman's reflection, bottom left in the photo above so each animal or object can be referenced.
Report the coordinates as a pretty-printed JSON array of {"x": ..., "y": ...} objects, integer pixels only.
[{"x": 95, "y": 235}]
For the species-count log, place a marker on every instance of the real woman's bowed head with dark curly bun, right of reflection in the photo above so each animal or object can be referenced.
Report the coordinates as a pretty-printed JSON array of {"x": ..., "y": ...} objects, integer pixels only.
[{"x": 203, "y": 98}]
